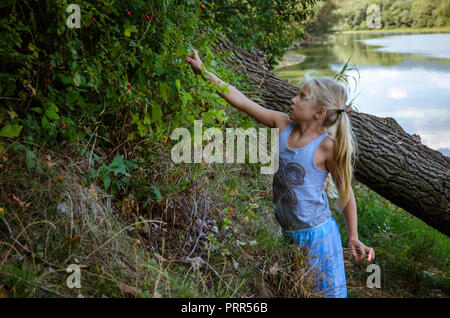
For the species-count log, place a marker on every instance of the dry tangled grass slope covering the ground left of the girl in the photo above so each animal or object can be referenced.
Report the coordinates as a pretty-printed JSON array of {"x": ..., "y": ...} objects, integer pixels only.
[{"x": 180, "y": 245}]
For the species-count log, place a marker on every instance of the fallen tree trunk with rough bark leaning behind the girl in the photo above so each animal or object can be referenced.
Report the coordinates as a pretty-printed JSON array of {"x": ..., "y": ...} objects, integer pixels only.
[{"x": 391, "y": 162}]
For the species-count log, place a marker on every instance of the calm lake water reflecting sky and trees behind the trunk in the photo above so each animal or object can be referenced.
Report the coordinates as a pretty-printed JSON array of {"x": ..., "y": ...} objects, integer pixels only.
[{"x": 412, "y": 86}]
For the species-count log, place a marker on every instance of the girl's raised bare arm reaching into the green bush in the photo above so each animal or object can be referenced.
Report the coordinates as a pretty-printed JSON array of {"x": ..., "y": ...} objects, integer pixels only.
[{"x": 267, "y": 117}]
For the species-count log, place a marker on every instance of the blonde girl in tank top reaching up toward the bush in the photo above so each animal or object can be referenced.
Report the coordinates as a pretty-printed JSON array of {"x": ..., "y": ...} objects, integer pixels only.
[{"x": 308, "y": 158}]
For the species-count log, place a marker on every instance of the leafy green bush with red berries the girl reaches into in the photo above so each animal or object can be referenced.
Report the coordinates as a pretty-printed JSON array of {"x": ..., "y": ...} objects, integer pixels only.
[{"x": 80, "y": 78}]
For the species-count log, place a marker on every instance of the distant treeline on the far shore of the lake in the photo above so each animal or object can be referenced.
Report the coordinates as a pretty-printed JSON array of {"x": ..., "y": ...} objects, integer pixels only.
[{"x": 352, "y": 14}]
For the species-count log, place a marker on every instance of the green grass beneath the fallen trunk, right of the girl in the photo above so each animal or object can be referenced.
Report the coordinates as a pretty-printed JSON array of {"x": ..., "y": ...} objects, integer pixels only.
[{"x": 406, "y": 248}]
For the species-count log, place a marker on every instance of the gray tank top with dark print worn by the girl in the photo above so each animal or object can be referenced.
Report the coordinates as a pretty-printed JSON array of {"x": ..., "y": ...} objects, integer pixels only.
[{"x": 299, "y": 186}]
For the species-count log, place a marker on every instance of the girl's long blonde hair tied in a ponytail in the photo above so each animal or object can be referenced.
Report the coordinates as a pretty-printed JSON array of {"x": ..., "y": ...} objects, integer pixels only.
[{"x": 333, "y": 96}]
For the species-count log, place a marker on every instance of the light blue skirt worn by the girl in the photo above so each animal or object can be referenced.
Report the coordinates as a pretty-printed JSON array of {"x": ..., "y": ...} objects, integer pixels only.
[{"x": 325, "y": 256}]
